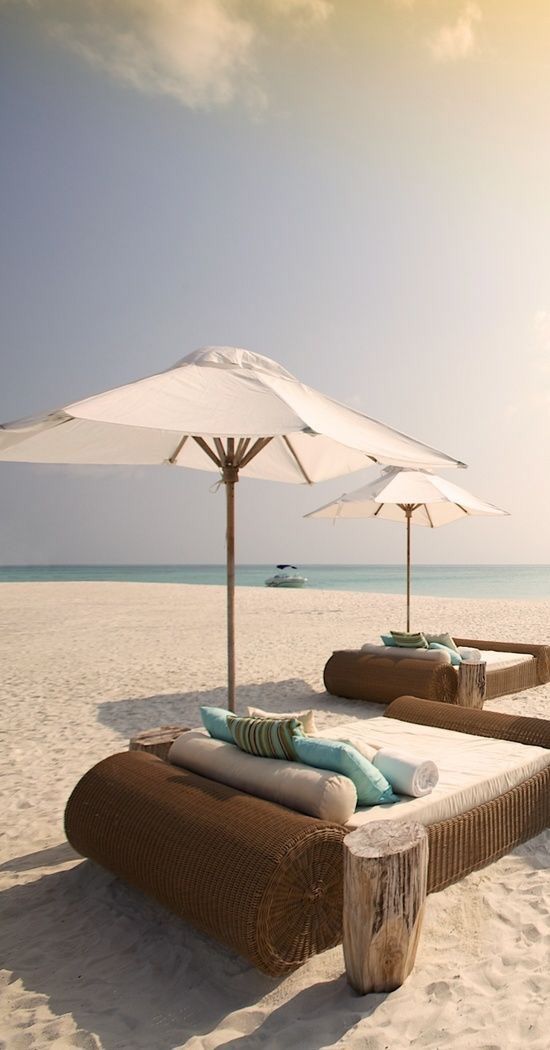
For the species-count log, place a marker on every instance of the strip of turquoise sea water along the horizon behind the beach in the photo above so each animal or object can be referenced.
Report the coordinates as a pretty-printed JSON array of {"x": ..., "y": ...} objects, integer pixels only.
[{"x": 446, "y": 581}]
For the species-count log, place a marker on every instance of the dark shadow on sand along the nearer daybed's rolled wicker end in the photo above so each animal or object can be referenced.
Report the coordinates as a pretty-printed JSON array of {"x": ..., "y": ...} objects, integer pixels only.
[{"x": 139, "y": 978}]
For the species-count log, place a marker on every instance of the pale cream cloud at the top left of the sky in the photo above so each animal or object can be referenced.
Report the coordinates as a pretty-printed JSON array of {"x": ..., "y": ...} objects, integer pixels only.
[{"x": 202, "y": 53}]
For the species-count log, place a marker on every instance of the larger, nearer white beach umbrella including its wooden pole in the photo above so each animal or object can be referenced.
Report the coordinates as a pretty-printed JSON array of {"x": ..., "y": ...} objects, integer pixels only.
[{"x": 220, "y": 409}]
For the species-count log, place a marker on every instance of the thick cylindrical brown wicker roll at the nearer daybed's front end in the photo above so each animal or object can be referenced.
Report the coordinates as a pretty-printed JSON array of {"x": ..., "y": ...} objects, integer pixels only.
[{"x": 265, "y": 880}]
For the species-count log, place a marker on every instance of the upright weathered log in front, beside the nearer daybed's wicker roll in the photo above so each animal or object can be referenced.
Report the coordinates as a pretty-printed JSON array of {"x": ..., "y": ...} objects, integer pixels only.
[{"x": 386, "y": 876}]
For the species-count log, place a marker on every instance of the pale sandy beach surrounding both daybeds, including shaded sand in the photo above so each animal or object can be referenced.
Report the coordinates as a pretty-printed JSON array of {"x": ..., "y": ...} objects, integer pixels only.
[{"x": 91, "y": 963}]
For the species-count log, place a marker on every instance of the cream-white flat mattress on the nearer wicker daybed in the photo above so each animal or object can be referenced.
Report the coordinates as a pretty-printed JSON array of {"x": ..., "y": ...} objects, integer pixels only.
[{"x": 473, "y": 770}]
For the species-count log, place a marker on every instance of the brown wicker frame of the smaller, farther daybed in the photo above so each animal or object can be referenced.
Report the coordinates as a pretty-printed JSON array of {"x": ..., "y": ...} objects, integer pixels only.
[{"x": 359, "y": 676}]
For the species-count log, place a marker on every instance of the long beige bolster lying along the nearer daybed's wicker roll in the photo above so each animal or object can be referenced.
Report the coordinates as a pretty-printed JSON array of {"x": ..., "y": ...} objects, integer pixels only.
[{"x": 319, "y": 793}]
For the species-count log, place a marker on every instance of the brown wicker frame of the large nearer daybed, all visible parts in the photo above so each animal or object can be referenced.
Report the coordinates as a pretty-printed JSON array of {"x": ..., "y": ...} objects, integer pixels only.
[{"x": 264, "y": 879}]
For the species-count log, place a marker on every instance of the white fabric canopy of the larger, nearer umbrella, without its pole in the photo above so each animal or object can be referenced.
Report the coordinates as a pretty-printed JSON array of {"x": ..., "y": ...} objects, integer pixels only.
[{"x": 223, "y": 392}]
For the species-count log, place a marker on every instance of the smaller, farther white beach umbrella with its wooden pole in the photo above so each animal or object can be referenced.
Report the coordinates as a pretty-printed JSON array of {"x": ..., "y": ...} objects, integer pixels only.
[{"x": 417, "y": 497}]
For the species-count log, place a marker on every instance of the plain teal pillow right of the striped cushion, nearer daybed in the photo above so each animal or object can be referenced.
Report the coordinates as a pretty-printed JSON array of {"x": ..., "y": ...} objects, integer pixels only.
[{"x": 372, "y": 787}]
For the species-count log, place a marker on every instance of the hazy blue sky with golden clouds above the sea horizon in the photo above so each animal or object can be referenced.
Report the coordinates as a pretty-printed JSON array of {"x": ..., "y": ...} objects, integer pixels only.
[{"x": 355, "y": 188}]
